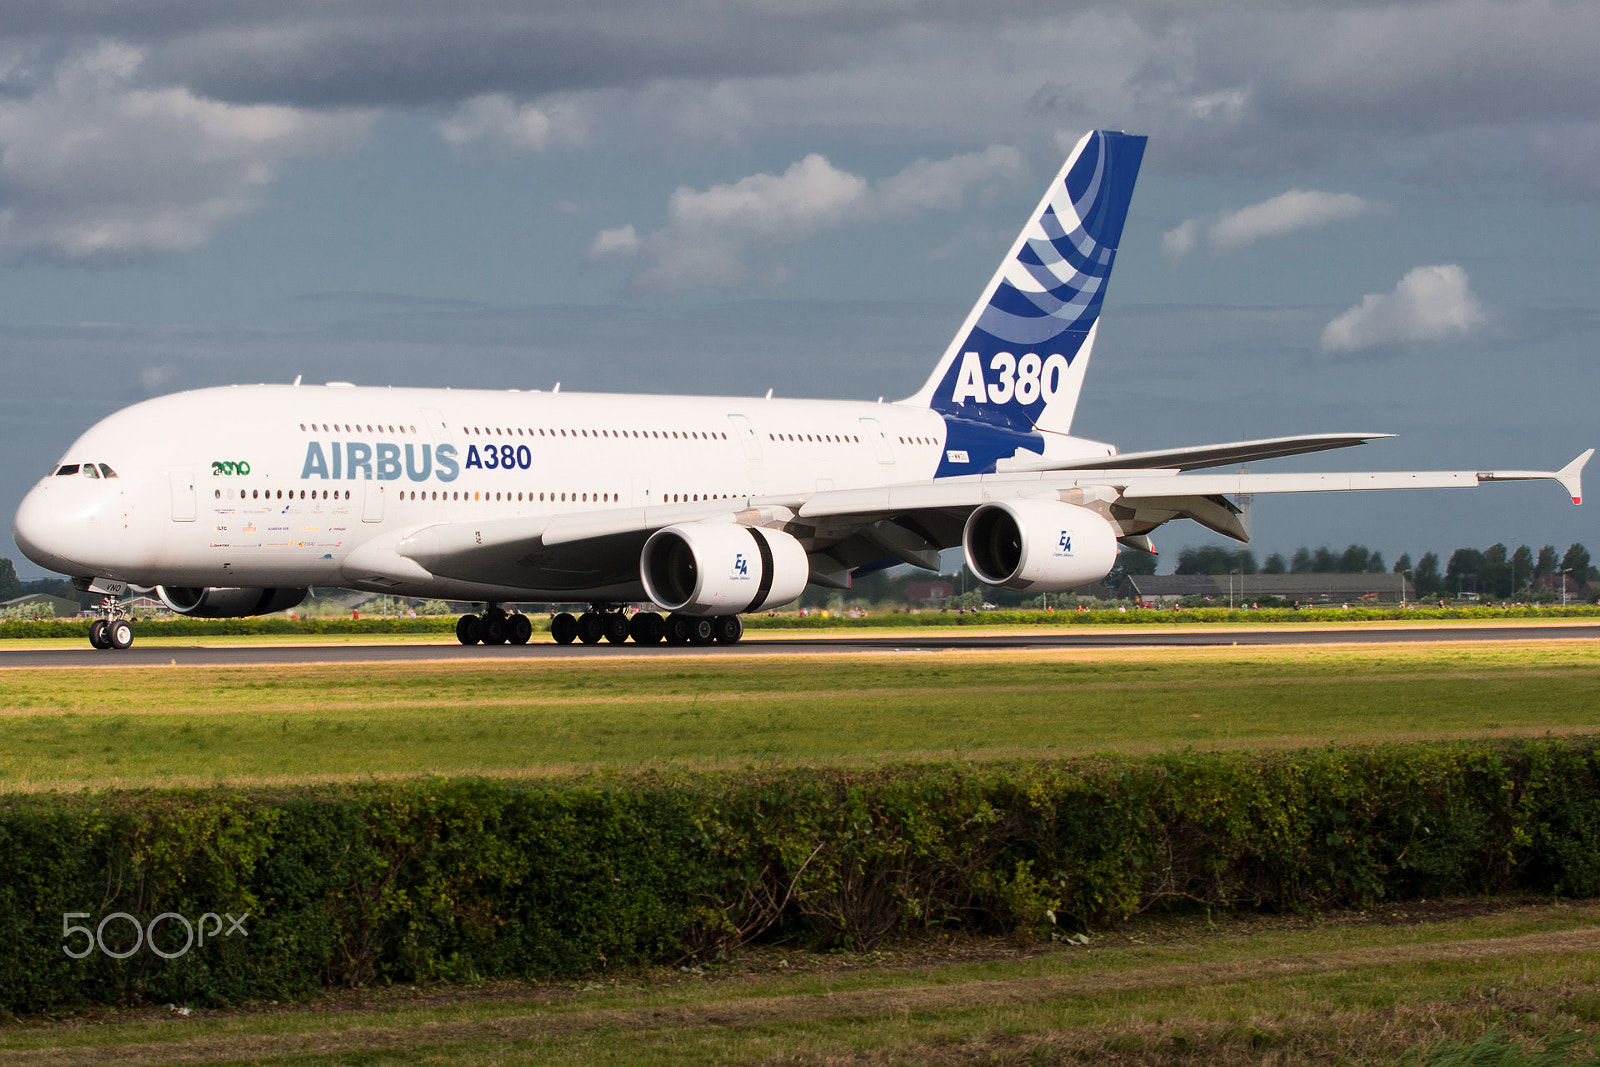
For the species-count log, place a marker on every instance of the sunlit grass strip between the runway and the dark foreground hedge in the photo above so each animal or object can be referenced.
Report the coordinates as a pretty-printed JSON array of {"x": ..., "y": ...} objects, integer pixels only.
[{"x": 198, "y": 725}]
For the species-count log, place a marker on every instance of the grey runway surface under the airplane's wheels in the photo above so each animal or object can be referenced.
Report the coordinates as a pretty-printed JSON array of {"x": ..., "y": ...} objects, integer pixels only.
[{"x": 543, "y": 650}]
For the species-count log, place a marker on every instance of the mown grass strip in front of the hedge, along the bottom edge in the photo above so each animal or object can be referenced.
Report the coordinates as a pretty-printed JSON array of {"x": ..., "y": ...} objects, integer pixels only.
[{"x": 1374, "y": 989}]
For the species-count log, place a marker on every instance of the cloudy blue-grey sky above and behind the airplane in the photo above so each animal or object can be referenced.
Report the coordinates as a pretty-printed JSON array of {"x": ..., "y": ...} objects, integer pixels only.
[{"x": 1353, "y": 217}]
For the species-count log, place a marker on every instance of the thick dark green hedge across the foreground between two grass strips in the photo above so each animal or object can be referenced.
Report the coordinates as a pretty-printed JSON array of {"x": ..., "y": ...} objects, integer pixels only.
[{"x": 466, "y": 879}]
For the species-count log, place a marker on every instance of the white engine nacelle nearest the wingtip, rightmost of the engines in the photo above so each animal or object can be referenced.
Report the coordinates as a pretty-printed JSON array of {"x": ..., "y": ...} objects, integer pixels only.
[{"x": 1039, "y": 546}]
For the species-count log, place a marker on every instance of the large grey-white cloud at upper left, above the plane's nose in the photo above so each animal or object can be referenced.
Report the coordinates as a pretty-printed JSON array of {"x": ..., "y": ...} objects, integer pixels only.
[{"x": 94, "y": 167}]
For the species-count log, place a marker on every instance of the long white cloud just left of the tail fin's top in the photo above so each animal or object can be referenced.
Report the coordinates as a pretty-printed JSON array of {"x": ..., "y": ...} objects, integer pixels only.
[{"x": 711, "y": 233}]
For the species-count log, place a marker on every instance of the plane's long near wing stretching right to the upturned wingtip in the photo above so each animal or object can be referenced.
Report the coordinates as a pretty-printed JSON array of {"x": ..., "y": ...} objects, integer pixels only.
[{"x": 850, "y": 532}]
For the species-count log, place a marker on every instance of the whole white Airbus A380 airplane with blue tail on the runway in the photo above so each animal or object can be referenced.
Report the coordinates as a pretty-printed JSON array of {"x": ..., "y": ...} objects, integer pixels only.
[{"x": 236, "y": 502}]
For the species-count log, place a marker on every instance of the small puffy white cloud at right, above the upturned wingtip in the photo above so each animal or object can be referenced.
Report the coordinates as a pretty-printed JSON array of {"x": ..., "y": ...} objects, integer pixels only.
[{"x": 1428, "y": 305}]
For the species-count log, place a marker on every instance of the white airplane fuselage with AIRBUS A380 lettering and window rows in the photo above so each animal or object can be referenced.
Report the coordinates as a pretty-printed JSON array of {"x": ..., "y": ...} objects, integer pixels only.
[{"x": 276, "y": 486}]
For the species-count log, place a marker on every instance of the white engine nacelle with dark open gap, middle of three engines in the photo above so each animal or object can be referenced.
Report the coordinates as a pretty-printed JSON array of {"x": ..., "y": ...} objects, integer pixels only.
[{"x": 721, "y": 569}]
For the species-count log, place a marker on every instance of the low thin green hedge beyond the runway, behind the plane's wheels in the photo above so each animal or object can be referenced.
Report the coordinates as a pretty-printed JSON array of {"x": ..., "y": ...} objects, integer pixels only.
[{"x": 278, "y": 625}]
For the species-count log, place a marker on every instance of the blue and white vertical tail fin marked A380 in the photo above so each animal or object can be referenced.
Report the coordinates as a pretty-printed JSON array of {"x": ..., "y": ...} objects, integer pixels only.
[{"x": 1018, "y": 362}]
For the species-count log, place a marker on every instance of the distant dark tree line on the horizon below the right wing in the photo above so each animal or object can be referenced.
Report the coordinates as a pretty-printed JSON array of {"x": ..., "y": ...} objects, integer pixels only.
[{"x": 1495, "y": 572}]
